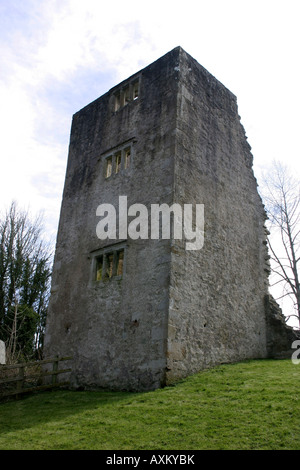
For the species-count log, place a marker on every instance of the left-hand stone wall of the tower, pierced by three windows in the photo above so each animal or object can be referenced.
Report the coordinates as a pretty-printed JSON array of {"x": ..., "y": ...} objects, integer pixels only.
[{"x": 116, "y": 330}]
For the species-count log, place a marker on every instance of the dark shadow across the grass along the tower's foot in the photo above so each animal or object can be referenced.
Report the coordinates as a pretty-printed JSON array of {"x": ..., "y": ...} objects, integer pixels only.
[{"x": 41, "y": 408}]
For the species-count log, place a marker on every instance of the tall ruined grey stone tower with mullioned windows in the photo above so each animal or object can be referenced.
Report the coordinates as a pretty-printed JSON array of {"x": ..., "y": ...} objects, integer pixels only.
[{"x": 139, "y": 313}]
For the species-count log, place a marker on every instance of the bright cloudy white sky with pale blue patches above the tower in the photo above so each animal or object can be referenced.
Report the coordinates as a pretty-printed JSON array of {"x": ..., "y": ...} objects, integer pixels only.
[{"x": 59, "y": 55}]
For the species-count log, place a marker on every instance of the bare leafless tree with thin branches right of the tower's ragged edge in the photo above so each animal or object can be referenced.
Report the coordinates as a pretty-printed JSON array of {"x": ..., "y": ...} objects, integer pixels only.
[{"x": 281, "y": 196}]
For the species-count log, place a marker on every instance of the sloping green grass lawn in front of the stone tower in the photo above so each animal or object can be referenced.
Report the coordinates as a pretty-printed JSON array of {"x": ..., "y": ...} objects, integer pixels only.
[{"x": 249, "y": 405}]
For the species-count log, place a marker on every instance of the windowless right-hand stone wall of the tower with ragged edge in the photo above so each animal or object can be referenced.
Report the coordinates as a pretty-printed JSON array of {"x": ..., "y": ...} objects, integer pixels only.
[{"x": 217, "y": 293}]
